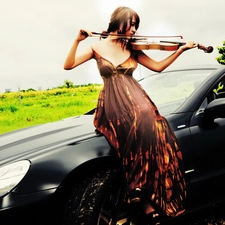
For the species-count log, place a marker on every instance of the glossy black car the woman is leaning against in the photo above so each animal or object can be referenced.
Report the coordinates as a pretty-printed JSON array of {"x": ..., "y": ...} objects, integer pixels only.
[{"x": 67, "y": 173}]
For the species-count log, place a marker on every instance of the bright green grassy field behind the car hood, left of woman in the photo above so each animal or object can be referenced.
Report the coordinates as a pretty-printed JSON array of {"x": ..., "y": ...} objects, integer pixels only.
[{"x": 24, "y": 109}]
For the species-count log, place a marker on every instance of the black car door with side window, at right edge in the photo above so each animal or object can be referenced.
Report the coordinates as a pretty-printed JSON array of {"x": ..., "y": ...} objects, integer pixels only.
[{"x": 208, "y": 139}]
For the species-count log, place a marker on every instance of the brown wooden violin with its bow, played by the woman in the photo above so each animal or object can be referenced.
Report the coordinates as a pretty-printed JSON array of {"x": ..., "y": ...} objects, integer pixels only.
[{"x": 139, "y": 42}]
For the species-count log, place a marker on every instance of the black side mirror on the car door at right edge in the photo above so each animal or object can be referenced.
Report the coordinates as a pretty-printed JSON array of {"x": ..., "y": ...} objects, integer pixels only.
[{"x": 215, "y": 109}]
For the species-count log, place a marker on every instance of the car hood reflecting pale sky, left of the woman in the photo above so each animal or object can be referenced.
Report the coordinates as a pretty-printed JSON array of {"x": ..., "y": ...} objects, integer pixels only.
[{"x": 24, "y": 142}]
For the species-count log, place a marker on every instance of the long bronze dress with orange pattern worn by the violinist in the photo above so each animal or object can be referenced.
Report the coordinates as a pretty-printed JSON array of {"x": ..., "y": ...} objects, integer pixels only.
[{"x": 130, "y": 121}]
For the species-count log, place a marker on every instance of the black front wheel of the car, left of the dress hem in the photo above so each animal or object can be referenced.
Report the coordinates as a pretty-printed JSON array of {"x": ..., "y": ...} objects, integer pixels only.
[{"x": 98, "y": 201}]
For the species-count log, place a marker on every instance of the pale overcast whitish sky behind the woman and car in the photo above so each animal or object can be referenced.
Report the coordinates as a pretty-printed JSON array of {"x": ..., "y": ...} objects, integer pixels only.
[{"x": 35, "y": 36}]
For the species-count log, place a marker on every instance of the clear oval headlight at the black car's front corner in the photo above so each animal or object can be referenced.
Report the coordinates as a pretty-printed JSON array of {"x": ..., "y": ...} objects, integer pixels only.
[{"x": 11, "y": 175}]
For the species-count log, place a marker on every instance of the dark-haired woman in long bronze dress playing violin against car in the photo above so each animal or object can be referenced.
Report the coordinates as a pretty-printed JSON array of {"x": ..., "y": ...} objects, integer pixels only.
[{"x": 130, "y": 121}]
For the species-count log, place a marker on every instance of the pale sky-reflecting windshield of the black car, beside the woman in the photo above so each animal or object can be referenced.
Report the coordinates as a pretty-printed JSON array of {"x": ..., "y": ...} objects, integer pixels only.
[{"x": 169, "y": 90}]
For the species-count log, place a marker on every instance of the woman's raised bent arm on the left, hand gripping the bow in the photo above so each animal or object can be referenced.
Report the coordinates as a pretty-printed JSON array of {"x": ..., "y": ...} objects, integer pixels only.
[{"x": 72, "y": 59}]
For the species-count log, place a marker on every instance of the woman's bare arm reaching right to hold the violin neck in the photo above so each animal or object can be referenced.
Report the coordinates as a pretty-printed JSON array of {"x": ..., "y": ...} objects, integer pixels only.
[{"x": 151, "y": 64}]
